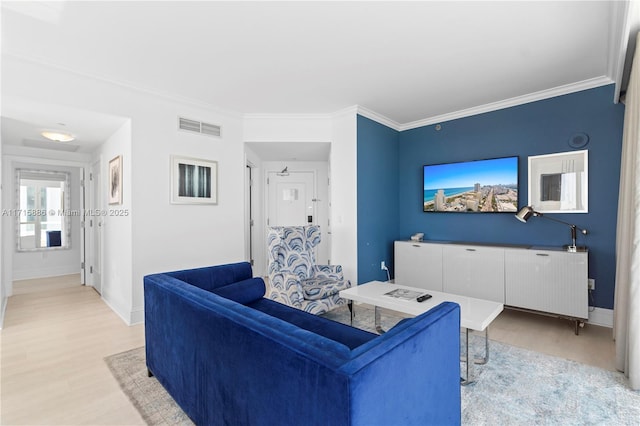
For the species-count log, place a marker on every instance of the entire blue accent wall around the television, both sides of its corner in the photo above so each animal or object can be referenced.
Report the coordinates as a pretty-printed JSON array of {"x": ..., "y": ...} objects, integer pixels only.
[{"x": 542, "y": 127}]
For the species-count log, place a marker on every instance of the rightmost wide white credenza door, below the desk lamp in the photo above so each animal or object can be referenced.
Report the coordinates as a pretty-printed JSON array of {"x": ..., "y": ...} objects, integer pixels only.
[{"x": 548, "y": 281}]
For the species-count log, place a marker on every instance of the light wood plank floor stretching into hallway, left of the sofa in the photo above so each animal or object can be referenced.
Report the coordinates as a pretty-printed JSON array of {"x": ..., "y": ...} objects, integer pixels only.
[{"x": 53, "y": 345}]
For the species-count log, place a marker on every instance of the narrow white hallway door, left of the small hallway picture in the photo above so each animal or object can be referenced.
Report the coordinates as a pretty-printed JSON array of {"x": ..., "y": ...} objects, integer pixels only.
[{"x": 94, "y": 220}]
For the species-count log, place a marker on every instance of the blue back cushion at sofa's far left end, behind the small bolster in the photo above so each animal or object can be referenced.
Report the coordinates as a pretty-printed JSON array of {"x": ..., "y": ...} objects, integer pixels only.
[{"x": 213, "y": 277}]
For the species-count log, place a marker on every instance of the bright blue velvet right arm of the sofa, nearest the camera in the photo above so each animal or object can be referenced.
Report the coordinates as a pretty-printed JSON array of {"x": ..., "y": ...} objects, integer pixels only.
[{"x": 414, "y": 367}]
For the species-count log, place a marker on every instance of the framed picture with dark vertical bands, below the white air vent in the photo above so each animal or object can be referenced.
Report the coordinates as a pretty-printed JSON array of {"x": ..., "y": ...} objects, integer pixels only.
[{"x": 193, "y": 181}]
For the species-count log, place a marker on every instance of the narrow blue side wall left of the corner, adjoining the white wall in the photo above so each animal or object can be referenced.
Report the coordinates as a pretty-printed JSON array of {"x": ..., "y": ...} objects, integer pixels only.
[{"x": 377, "y": 198}]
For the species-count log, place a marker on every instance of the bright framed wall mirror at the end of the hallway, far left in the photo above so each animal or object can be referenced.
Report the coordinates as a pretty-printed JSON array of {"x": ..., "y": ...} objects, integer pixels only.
[{"x": 42, "y": 210}]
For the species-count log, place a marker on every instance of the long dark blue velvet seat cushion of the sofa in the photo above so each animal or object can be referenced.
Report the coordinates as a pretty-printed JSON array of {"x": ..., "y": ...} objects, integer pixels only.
[{"x": 349, "y": 336}]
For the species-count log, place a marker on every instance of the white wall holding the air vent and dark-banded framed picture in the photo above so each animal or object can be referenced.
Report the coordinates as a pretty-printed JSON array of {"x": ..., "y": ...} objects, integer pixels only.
[{"x": 163, "y": 236}]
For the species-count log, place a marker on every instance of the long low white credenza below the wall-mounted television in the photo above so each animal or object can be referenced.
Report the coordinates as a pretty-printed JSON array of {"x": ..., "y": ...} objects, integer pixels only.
[{"x": 544, "y": 279}]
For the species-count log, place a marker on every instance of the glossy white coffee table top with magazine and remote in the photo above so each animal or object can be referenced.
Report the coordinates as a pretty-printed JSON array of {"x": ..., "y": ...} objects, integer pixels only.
[{"x": 475, "y": 314}]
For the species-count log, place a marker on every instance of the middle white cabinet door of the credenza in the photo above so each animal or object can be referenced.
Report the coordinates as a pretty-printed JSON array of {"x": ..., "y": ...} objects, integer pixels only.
[{"x": 474, "y": 271}]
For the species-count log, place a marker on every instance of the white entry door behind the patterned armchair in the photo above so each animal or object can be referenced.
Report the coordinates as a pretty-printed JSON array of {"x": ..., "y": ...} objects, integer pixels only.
[{"x": 291, "y": 198}]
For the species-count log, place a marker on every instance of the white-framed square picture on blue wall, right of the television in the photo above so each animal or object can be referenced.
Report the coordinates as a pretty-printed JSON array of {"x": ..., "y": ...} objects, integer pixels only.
[{"x": 559, "y": 183}]
